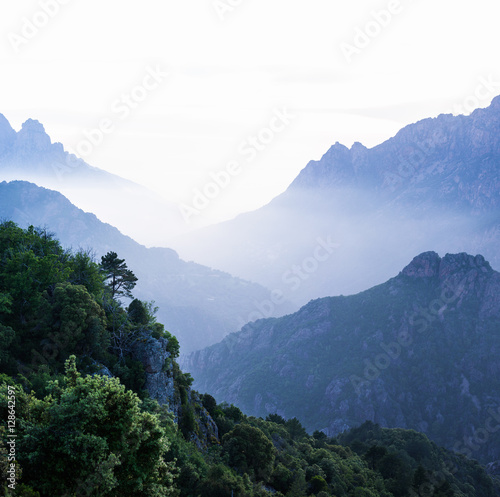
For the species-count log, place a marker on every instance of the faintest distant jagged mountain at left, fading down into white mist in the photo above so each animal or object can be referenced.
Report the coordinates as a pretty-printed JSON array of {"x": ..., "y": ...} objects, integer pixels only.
[{"x": 30, "y": 155}]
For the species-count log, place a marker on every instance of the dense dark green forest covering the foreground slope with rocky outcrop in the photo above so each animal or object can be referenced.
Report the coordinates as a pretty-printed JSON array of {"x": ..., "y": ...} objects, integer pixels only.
[{"x": 79, "y": 418}]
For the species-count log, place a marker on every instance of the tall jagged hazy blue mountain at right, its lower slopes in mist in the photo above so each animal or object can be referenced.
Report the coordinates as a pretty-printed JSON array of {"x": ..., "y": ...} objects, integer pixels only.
[{"x": 435, "y": 184}]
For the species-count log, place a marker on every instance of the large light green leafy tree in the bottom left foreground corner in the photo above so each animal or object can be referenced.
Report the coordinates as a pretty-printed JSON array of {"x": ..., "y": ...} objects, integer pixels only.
[{"x": 93, "y": 439}]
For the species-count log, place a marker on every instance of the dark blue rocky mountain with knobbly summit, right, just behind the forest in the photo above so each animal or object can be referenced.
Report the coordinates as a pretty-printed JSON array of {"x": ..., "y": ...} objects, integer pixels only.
[{"x": 421, "y": 351}]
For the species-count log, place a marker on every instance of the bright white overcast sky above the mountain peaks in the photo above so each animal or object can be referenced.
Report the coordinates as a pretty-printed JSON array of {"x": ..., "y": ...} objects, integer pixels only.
[{"x": 228, "y": 76}]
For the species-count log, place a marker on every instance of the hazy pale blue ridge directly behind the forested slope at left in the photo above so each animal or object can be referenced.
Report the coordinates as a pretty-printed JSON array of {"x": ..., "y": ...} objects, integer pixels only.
[{"x": 199, "y": 305}]
